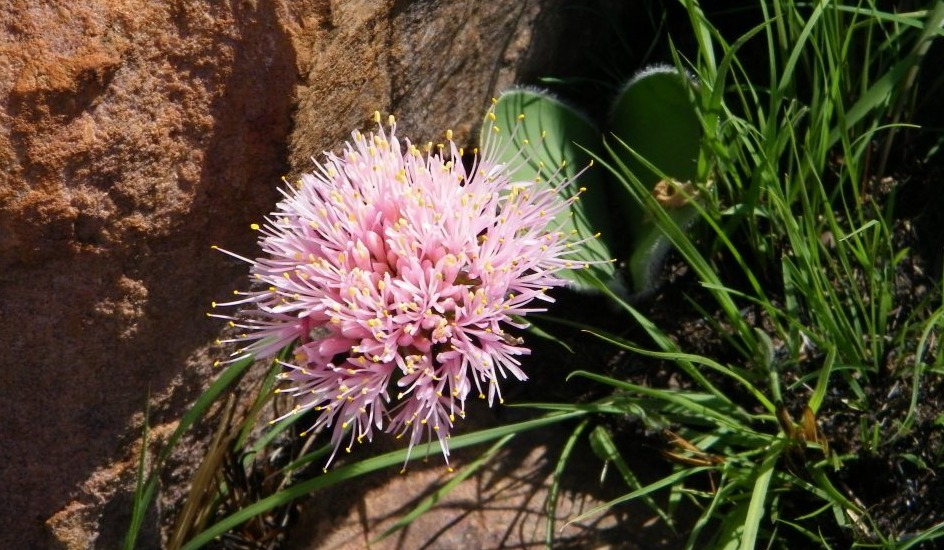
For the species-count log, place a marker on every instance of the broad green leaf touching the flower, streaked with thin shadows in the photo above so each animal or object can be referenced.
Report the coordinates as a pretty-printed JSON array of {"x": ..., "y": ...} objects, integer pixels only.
[{"x": 540, "y": 136}]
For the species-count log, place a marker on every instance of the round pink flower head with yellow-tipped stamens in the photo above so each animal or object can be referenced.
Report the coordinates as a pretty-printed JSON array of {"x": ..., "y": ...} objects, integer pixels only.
[{"x": 396, "y": 273}]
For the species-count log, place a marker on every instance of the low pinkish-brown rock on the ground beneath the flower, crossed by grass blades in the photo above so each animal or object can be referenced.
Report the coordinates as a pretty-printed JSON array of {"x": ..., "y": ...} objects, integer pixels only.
[{"x": 504, "y": 505}]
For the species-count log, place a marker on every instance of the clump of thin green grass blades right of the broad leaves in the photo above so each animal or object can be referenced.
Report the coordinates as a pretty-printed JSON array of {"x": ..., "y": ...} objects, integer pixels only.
[{"x": 794, "y": 228}]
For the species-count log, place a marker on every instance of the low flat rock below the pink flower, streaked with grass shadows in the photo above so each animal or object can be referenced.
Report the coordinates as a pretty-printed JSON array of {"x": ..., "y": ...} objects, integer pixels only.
[{"x": 502, "y": 505}]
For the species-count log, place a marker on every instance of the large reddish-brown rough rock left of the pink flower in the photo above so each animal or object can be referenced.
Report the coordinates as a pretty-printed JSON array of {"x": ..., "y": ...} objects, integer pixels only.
[{"x": 132, "y": 136}]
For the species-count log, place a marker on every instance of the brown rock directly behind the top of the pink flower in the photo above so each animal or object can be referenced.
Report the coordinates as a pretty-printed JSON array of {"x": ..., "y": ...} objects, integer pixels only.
[{"x": 434, "y": 64}]
